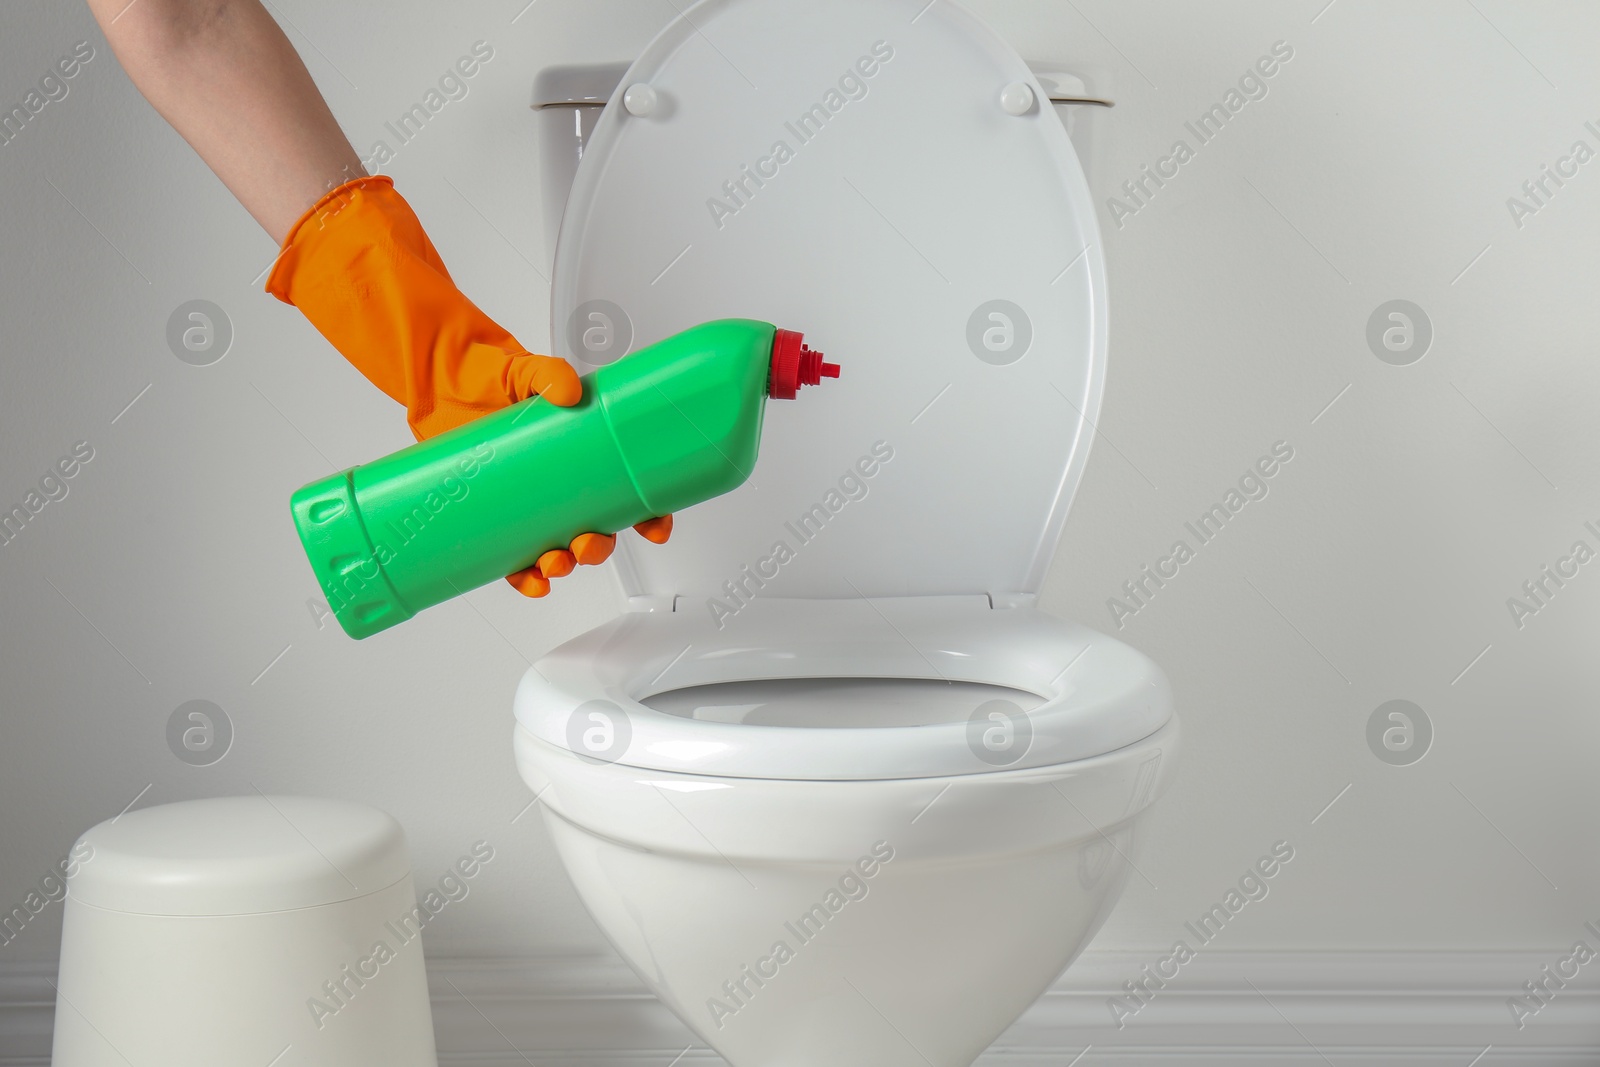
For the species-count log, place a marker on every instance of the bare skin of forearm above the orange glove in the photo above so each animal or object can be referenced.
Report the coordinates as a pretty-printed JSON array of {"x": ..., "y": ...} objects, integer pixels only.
[{"x": 228, "y": 79}]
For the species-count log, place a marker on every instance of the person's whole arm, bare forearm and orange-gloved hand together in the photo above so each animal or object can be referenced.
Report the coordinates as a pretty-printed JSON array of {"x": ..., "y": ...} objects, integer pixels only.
[{"x": 228, "y": 79}]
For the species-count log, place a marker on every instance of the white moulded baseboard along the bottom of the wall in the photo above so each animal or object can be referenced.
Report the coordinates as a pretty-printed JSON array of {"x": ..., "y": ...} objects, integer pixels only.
[{"x": 1254, "y": 1009}]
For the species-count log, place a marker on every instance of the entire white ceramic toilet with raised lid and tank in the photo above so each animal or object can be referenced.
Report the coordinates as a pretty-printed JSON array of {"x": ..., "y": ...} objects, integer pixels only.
[{"x": 833, "y": 785}]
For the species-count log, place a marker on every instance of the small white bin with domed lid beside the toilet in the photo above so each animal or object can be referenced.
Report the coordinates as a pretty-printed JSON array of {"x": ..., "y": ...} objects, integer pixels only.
[{"x": 244, "y": 930}]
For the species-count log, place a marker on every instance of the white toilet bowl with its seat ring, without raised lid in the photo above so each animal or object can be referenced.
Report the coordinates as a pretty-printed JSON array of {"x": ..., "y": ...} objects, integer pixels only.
[{"x": 850, "y": 895}]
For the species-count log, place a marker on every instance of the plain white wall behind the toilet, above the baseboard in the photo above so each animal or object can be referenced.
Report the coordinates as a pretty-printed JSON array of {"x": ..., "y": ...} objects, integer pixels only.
[{"x": 1378, "y": 567}]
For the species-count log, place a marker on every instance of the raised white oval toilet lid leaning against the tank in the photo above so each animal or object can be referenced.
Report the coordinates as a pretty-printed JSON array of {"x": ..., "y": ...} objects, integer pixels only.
[{"x": 854, "y": 170}]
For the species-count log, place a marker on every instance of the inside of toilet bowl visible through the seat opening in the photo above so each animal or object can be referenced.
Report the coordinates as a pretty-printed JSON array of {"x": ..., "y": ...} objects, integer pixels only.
[{"x": 838, "y": 703}]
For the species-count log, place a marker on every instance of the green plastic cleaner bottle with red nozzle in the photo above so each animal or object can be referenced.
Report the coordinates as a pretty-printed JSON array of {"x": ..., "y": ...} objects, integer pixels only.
[{"x": 671, "y": 426}]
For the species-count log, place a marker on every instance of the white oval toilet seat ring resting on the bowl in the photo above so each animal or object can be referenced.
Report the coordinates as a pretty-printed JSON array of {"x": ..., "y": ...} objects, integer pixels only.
[{"x": 1098, "y": 693}]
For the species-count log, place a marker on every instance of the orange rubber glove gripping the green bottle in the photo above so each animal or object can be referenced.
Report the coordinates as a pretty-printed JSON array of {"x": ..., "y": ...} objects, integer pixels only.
[{"x": 364, "y": 273}]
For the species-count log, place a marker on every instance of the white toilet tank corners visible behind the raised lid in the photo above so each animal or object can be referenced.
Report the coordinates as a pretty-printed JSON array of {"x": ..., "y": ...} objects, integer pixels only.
[{"x": 569, "y": 100}]
